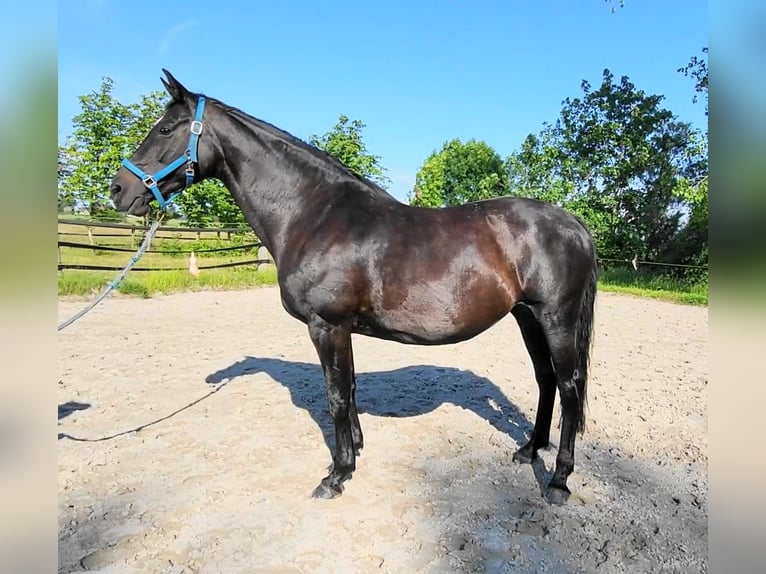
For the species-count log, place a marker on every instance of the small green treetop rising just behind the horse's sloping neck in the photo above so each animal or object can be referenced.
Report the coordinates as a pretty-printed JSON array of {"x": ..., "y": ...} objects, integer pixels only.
[{"x": 345, "y": 143}]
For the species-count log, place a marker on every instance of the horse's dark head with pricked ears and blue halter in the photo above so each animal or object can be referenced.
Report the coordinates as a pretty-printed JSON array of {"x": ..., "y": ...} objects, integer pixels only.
[{"x": 172, "y": 156}]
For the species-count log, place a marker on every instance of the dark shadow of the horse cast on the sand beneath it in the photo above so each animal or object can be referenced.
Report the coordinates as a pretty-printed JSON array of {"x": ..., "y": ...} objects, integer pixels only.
[{"x": 404, "y": 392}]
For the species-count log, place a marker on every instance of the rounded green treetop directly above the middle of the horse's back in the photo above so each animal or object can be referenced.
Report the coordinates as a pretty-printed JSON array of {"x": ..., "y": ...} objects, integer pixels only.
[{"x": 459, "y": 173}]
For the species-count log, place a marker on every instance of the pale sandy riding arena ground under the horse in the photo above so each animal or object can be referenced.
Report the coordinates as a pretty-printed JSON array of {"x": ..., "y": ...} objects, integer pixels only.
[{"x": 193, "y": 428}]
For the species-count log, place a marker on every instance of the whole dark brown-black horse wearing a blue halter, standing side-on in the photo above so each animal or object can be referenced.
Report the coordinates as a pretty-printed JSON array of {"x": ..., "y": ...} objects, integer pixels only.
[{"x": 352, "y": 259}]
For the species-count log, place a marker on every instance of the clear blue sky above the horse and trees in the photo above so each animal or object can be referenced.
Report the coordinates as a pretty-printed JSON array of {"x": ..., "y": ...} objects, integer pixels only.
[{"x": 418, "y": 73}]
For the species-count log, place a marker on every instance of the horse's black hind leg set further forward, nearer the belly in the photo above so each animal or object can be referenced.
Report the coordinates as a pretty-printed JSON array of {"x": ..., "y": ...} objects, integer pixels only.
[{"x": 537, "y": 346}]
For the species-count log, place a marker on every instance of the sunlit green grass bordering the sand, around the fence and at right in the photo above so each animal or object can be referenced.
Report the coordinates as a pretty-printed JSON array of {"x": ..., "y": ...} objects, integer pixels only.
[{"x": 146, "y": 284}]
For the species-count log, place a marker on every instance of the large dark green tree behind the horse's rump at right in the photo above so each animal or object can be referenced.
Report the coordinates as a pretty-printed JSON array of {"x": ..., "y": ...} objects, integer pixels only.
[{"x": 617, "y": 158}]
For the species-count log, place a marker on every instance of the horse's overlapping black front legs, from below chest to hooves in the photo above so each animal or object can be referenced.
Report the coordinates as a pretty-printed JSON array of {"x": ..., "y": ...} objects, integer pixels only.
[{"x": 333, "y": 344}]
